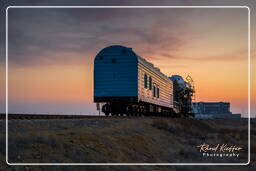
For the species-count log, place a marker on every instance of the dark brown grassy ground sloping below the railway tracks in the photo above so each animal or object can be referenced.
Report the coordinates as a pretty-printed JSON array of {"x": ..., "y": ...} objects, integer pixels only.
[{"x": 123, "y": 140}]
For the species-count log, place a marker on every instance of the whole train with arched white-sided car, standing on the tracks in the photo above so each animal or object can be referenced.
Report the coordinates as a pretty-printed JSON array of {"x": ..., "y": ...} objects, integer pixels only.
[{"x": 127, "y": 84}]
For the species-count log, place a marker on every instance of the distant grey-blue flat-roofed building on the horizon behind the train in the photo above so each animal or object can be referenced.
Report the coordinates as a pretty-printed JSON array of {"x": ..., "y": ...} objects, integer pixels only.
[{"x": 213, "y": 110}]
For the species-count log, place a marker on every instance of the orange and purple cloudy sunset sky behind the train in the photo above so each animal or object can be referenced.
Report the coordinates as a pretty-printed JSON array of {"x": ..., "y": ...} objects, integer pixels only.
[{"x": 51, "y": 53}]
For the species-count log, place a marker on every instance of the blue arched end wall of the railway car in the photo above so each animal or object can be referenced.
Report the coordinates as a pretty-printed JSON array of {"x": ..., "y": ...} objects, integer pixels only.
[{"x": 115, "y": 75}]
